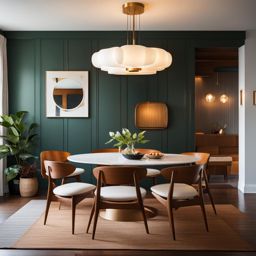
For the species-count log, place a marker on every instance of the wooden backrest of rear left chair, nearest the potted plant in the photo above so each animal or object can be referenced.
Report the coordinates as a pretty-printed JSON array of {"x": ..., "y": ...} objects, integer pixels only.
[{"x": 52, "y": 155}]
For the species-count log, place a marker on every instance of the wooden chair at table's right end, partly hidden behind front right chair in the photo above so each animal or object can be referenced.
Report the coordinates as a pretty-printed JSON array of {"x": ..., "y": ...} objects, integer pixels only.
[{"x": 203, "y": 161}]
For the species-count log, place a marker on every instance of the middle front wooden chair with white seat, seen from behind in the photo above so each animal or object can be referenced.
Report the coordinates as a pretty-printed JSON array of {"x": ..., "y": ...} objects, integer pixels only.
[{"x": 116, "y": 193}]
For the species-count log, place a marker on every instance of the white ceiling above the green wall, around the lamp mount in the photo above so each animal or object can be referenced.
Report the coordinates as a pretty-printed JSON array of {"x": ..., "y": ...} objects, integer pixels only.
[{"x": 107, "y": 15}]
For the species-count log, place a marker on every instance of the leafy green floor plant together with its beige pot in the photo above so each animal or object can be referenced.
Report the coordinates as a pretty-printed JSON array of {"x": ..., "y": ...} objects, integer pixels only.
[{"x": 18, "y": 140}]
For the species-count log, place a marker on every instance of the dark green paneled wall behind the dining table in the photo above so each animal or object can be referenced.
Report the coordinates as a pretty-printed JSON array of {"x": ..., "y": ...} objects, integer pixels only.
[{"x": 112, "y": 98}]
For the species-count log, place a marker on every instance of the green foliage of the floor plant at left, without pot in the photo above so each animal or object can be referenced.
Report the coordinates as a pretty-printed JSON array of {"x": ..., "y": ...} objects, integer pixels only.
[{"x": 18, "y": 141}]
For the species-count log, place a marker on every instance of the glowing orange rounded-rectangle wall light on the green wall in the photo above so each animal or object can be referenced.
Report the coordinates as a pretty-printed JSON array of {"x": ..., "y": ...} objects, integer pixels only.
[{"x": 151, "y": 115}]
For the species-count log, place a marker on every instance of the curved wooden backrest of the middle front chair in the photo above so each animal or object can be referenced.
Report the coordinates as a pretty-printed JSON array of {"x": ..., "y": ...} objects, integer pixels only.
[{"x": 120, "y": 175}]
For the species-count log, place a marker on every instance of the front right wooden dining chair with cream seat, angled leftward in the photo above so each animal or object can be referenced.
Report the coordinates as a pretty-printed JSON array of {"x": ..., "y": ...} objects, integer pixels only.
[{"x": 180, "y": 192}]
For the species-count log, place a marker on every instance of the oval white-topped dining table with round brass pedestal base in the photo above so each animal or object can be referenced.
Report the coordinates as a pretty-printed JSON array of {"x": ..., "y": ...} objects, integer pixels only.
[{"x": 117, "y": 159}]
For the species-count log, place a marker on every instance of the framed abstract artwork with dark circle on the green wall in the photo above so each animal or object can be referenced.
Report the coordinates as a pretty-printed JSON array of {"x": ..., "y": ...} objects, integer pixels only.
[{"x": 67, "y": 94}]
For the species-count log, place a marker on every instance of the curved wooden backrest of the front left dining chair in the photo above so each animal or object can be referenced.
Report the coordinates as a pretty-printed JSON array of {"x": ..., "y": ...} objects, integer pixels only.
[{"x": 58, "y": 170}]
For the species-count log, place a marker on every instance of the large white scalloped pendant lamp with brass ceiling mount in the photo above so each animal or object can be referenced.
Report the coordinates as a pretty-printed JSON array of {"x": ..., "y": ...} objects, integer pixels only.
[{"x": 132, "y": 59}]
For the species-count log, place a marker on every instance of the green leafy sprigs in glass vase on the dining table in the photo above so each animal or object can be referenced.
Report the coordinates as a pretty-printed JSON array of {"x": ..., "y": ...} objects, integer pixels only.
[{"x": 128, "y": 140}]
